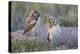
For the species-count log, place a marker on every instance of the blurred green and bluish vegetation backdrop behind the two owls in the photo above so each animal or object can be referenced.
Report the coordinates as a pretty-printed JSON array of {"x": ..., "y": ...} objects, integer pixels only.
[{"x": 67, "y": 14}]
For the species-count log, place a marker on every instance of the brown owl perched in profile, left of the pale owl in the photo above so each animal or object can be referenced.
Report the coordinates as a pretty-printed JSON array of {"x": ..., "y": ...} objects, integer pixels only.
[{"x": 31, "y": 20}]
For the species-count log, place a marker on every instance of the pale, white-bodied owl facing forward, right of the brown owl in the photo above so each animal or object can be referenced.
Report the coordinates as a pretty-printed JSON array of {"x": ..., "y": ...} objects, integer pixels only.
[{"x": 53, "y": 29}]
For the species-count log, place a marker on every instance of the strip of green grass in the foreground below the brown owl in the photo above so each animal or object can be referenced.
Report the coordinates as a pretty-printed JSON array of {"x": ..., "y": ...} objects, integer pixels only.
[{"x": 30, "y": 46}]
